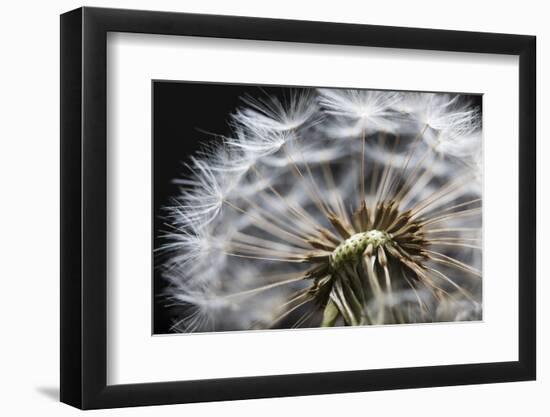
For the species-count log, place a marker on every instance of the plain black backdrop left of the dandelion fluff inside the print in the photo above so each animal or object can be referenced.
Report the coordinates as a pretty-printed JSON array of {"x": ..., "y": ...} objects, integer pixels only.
[{"x": 182, "y": 112}]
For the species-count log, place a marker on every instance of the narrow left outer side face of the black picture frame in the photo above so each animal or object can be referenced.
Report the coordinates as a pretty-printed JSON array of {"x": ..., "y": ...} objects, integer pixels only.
[{"x": 70, "y": 220}]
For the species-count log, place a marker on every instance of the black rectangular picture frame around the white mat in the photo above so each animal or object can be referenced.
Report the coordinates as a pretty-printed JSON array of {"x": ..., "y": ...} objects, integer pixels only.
[{"x": 84, "y": 223}]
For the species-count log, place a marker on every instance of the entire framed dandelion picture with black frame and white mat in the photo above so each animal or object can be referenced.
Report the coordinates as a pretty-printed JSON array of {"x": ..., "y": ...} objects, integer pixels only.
[{"x": 258, "y": 208}]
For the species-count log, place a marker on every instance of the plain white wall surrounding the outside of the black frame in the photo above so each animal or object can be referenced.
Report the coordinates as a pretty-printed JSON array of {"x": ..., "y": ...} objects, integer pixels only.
[{"x": 29, "y": 177}]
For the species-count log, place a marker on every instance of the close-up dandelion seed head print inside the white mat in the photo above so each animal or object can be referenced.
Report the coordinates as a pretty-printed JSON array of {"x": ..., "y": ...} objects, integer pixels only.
[{"x": 293, "y": 207}]
